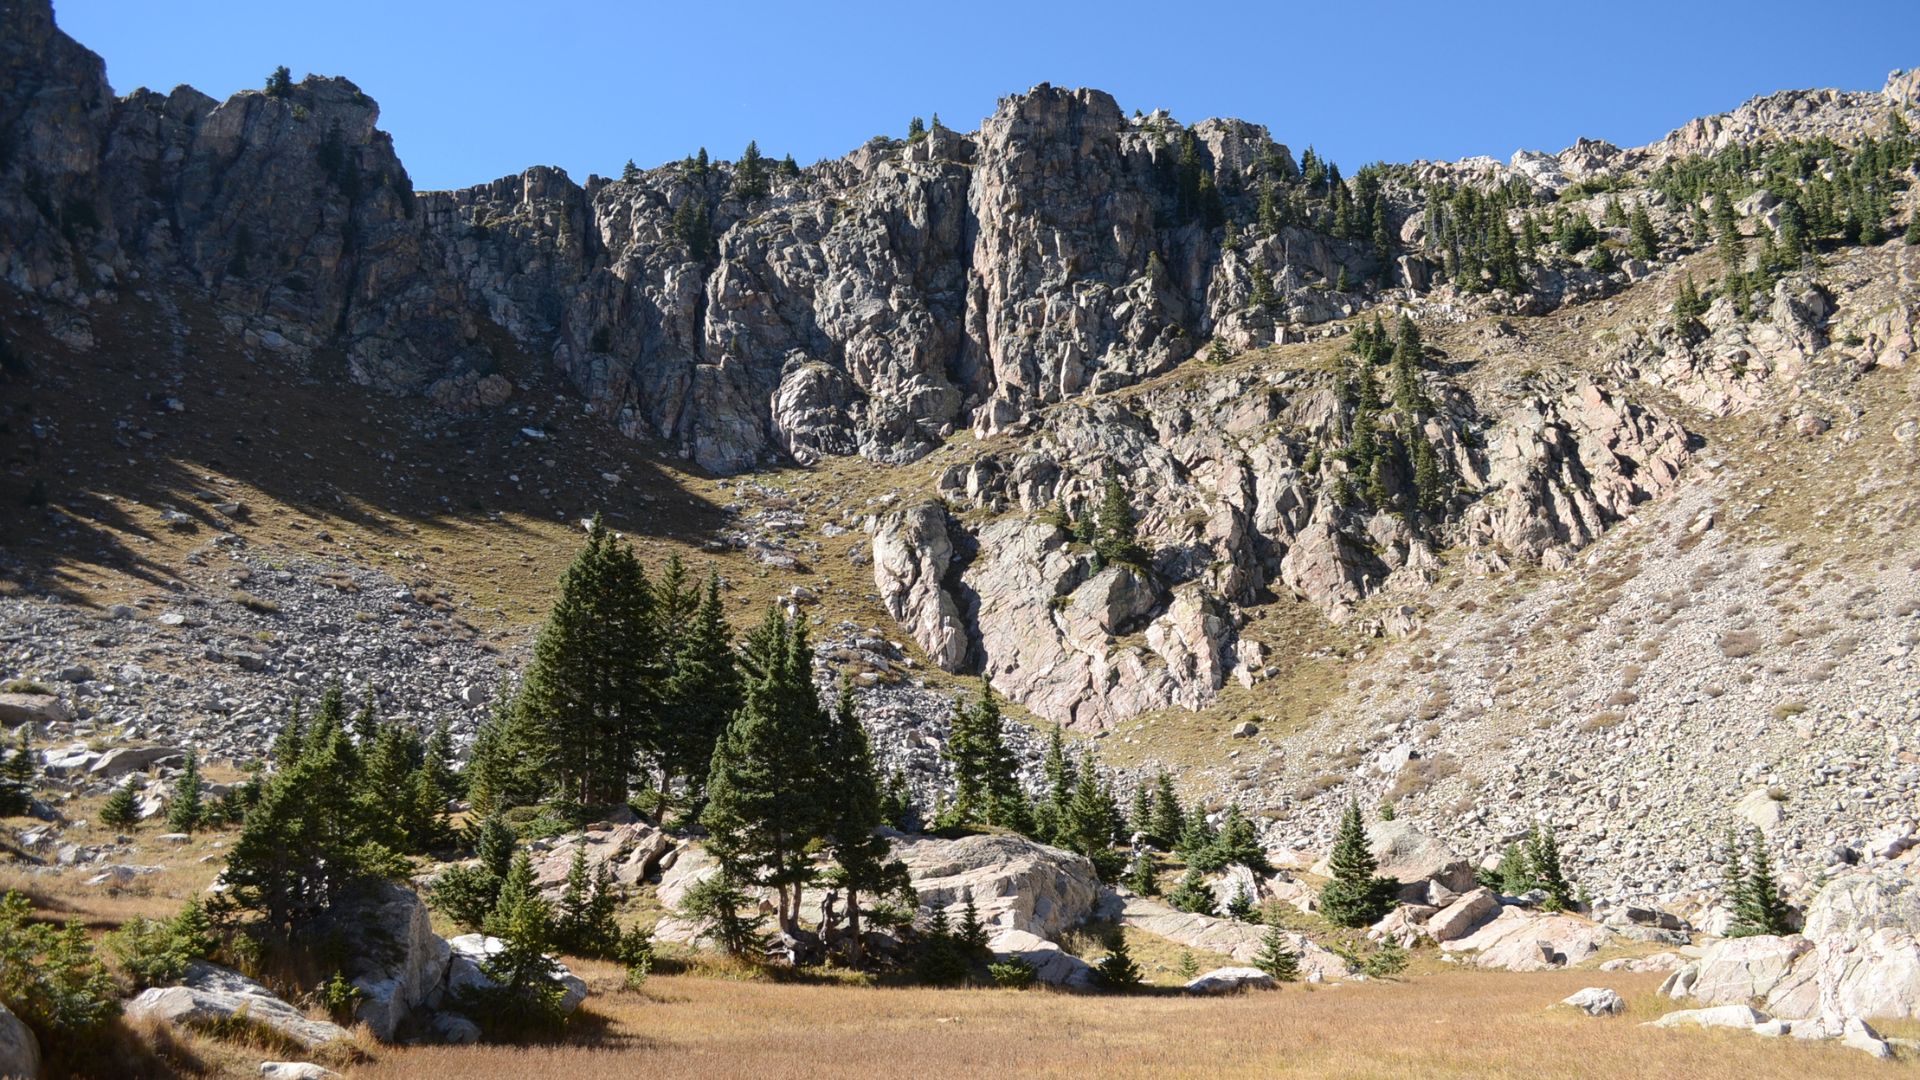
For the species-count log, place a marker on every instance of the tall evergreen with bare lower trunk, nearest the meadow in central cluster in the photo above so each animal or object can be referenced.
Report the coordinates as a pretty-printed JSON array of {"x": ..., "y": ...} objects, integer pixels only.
[{"x": 767, "y": 800}]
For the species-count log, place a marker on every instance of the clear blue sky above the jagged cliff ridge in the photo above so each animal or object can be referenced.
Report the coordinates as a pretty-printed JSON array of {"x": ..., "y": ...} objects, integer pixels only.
[{"x": 483, "y": 89}]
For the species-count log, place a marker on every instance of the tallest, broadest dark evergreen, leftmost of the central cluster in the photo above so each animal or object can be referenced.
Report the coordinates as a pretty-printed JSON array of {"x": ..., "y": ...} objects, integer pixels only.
[{"x": 588, "y": 693}]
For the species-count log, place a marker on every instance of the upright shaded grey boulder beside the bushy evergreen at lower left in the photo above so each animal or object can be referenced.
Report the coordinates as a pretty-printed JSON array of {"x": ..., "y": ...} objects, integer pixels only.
[{"x": 398, "y": 960}]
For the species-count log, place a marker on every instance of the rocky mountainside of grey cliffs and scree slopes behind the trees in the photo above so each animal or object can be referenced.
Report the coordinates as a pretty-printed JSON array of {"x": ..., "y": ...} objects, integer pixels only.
[{"x": 1570, "y": 491}]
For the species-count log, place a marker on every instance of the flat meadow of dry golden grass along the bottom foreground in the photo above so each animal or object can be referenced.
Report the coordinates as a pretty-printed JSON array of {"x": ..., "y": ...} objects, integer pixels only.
[{"x": 1481, "y": 1025}]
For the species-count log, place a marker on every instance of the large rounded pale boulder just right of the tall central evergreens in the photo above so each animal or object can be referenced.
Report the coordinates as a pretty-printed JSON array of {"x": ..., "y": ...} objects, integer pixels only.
[{"x": 1015, "y": 883}]
